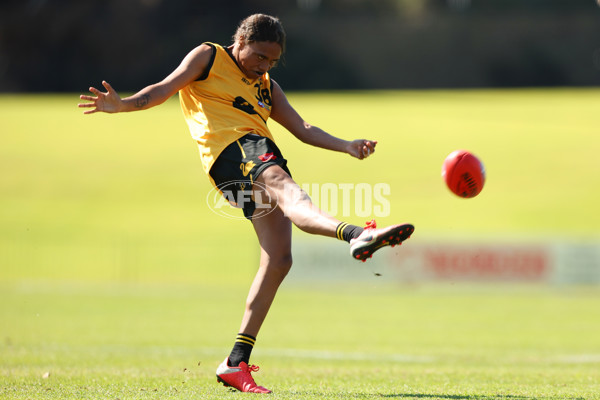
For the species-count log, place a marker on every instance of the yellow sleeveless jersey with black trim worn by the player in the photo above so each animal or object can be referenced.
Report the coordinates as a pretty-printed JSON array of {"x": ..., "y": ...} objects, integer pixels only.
[{"x": 223, "y": 105}]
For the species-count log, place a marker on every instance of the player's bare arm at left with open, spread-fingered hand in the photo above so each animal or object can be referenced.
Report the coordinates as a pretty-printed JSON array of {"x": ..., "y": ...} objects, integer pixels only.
[{"x": 190, "y": 68}]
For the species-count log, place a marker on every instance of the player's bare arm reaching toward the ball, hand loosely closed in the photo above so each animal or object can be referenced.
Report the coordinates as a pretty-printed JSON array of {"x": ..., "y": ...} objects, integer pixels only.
[{"x": 287, "y": 116}]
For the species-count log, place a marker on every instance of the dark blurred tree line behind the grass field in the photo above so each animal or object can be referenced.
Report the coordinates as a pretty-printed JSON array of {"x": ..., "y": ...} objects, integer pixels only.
[{"x": 68, "y": 45}]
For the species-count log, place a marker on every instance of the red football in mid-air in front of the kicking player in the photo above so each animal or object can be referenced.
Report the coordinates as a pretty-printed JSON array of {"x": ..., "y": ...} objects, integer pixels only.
[{"x": 463, "y": 173}]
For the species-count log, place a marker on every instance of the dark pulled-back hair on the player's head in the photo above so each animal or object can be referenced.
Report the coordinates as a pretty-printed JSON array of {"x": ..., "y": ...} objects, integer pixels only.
[{"x": 261, "y": 28}]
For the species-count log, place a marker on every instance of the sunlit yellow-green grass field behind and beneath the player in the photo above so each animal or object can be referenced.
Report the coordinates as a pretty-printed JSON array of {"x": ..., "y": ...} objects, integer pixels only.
[{"x": 118, "y": 282}]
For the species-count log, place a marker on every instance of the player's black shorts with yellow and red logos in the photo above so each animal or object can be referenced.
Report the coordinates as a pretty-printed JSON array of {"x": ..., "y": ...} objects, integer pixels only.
[{"x": 238, "y": 166}]
